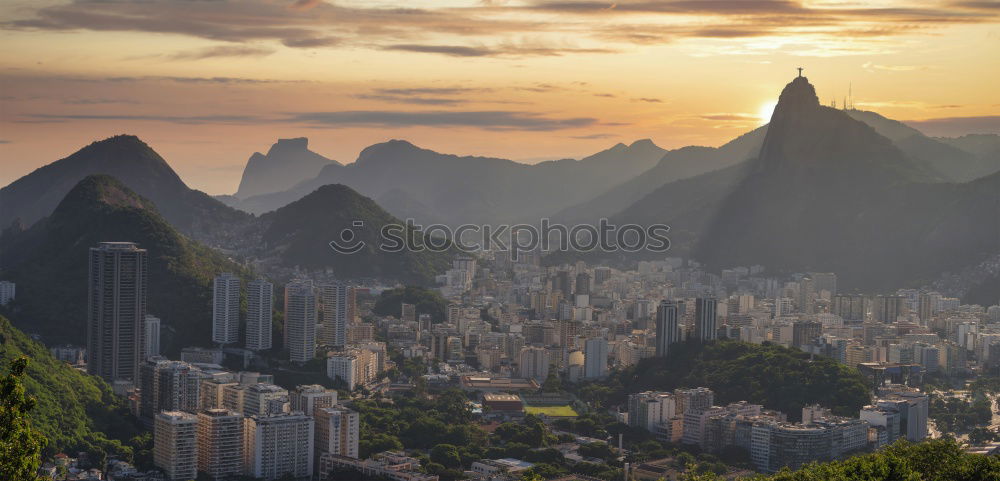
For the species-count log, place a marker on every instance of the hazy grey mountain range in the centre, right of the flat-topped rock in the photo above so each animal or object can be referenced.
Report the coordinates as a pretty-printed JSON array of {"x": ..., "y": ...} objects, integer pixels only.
[{"x": 469, "y": 189}]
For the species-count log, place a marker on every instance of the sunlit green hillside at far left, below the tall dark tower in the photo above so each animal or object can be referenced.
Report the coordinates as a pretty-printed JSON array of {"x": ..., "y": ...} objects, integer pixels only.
[{"x": 74, "y": 411}]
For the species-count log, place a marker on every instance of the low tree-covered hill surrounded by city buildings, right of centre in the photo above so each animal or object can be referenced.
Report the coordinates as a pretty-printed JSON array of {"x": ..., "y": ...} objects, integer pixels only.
[{"x": 774, "y": 376}]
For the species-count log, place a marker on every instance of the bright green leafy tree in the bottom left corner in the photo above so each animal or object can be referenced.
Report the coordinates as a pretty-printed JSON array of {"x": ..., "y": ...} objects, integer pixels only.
[{"x": 20, "y": 444}]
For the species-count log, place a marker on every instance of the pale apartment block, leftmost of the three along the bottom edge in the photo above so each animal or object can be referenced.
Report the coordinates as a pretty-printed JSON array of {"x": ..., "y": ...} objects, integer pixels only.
[{"x": 175, "y": 445}]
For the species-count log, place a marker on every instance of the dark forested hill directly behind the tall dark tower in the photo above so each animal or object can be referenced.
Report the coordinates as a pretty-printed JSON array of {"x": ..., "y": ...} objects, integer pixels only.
[{"x": 49, "y": 264}]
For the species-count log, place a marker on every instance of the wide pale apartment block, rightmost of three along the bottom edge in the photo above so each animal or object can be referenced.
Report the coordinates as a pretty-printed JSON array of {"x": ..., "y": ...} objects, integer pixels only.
[{"x": 278, "y": 445}]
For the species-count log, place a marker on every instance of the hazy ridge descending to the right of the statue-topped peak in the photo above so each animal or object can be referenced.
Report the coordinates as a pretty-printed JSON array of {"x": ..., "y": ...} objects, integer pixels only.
[{"x": 939, "y": 158}]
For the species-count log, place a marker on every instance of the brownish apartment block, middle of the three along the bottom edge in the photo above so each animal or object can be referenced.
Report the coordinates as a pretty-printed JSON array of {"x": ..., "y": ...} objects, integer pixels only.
[{"x": 220, "y": 443}]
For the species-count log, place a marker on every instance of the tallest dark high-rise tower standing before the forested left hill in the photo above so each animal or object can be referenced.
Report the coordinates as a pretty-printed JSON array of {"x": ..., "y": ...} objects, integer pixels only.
[{"x": 116, "y": 310}]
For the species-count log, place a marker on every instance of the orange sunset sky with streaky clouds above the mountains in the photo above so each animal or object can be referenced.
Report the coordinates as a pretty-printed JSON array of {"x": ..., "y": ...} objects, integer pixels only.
[{"x": 208, "y": 82}]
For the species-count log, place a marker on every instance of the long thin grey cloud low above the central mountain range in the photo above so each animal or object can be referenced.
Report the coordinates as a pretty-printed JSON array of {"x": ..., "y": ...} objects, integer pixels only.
[{"x": 489, "y": 120}]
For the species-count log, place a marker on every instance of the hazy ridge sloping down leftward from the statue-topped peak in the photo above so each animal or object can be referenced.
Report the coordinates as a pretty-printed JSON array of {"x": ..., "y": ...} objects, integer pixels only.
[{"x": 675, "y": 165}]
